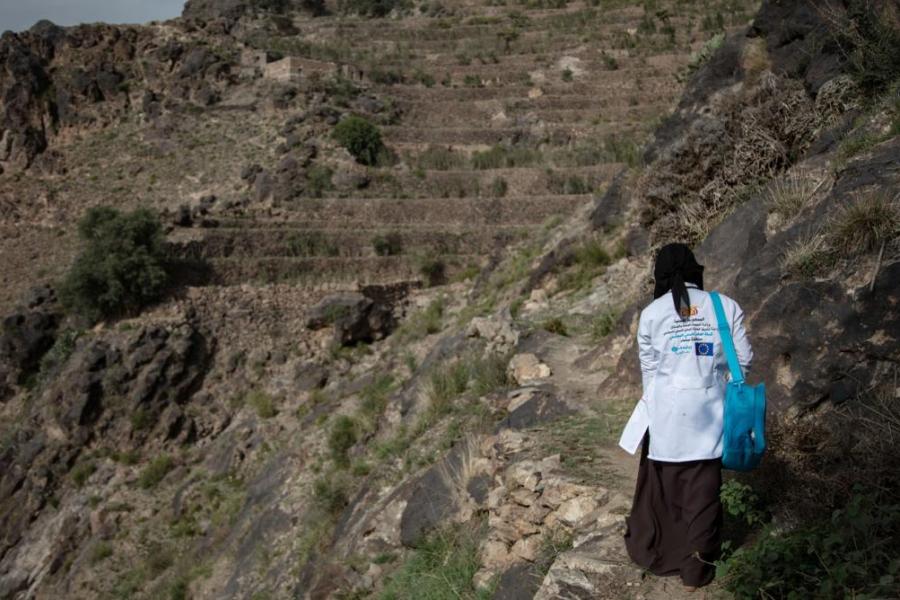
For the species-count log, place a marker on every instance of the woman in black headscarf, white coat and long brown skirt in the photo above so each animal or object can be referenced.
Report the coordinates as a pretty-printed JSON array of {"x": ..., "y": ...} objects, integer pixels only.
[{"x": 675, "y": 523}]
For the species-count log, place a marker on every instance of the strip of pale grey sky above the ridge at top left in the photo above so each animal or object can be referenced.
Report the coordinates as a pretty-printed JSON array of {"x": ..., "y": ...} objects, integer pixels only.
[{"x": 22, "y": 14}]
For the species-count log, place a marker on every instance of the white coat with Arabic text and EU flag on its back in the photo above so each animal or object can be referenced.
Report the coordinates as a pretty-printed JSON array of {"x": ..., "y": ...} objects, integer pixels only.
[{"x": 684, "y": 373}]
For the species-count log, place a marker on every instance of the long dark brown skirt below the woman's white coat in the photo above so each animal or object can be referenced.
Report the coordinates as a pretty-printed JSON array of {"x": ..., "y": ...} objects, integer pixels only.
[{"x": 676, "y": 519}]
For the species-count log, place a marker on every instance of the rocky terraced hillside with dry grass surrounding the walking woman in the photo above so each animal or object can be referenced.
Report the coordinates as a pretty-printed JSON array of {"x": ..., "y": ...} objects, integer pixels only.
[{"x": 397, "y": 369}]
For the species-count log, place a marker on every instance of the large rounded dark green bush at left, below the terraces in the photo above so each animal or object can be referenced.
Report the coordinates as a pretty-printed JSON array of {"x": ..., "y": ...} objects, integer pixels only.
[{"x": 122, "y": 267}]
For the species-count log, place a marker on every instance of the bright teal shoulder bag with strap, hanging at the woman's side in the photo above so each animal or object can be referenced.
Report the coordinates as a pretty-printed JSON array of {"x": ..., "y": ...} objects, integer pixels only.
[{"x": 744, "y": 435}]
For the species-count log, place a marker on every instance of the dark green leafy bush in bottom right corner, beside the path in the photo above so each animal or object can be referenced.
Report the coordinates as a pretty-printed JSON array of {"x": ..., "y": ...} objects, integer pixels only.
[{"x": 854, "y": 554}]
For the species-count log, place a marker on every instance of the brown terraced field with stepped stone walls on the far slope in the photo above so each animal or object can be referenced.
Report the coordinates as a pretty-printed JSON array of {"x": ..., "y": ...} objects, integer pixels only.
[{"x": 499, "y": 135}]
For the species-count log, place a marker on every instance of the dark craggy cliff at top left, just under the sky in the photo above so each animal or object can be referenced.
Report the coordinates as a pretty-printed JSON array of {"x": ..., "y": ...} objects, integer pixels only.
[{"x": 56, "y": 80}]
